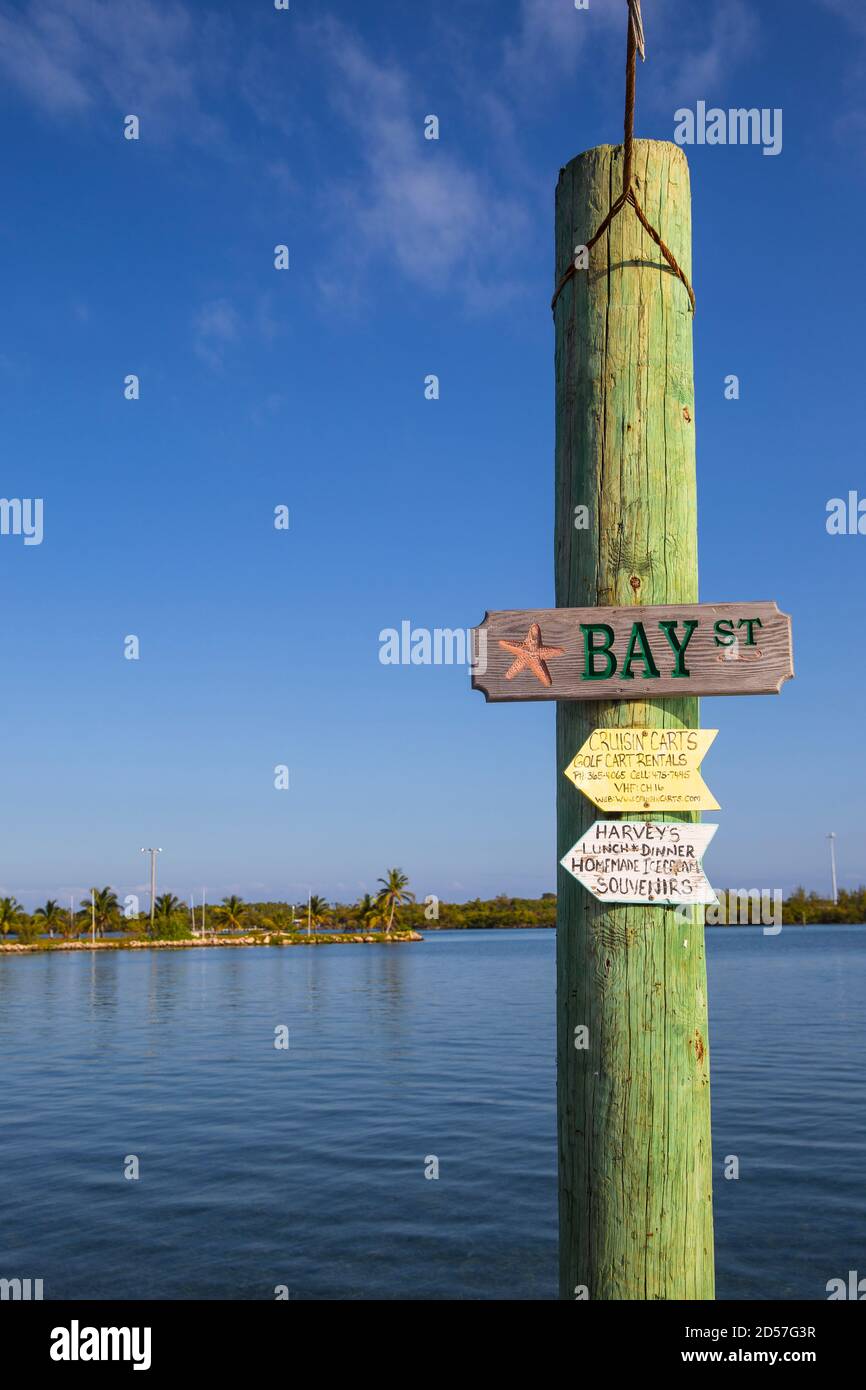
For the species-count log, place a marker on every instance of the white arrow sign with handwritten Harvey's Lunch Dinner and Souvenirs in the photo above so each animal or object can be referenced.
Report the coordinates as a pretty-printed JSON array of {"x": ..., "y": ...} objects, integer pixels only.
[{"x": 637, "y": 861}]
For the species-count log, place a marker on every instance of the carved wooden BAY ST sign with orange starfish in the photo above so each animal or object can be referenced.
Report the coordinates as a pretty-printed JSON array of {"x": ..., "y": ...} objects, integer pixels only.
[{"x": 633, "y": 653}]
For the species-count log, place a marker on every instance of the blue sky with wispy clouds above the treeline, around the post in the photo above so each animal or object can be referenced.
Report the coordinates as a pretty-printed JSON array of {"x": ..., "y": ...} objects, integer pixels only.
[{"x": 307, "y": 389}]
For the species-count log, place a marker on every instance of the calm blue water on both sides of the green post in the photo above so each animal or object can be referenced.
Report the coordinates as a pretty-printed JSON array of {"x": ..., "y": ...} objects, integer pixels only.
[{"x": 307, "y": 1167}]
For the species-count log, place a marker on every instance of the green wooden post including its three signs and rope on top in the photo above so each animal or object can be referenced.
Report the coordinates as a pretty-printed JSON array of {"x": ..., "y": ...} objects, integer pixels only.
[{"x": 633, "y": 1072}]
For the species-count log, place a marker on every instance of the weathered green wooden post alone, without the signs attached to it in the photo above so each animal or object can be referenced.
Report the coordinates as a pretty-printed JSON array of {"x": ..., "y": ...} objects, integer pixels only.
[{"x": 635, "y": 1120}]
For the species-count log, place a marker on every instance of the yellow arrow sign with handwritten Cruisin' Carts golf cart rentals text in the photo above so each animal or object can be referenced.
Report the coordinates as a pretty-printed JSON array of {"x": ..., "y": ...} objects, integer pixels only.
[{"x": 644, "y": 769}]
